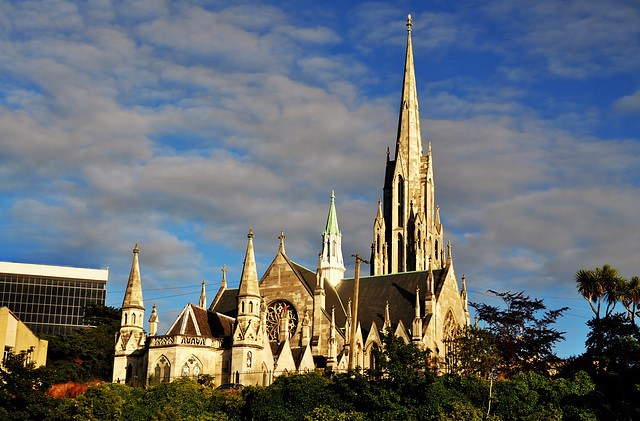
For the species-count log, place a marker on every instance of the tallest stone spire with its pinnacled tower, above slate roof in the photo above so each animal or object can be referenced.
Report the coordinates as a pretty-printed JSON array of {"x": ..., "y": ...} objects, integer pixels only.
[{"x": 407, "y": 231}]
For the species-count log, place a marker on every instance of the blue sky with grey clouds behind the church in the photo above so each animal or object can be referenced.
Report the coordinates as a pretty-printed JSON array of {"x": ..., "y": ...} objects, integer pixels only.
[{"x": 178, "y": 125}]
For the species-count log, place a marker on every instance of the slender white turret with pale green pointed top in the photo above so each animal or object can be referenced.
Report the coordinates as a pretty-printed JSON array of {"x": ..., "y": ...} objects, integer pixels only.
[{"x": 332, "y": 264}]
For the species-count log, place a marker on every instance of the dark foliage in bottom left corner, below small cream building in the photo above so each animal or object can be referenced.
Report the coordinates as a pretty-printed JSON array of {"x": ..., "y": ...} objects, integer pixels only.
[{"x": 23, "y": 389}]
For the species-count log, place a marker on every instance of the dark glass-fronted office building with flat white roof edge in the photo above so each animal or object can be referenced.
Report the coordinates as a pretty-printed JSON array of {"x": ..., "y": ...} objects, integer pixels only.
[{"x": 51, "y": 299}]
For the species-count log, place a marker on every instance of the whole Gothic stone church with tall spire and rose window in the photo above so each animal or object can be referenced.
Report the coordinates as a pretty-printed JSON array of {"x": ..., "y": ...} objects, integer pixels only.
[{"x": 294, "y": 319}]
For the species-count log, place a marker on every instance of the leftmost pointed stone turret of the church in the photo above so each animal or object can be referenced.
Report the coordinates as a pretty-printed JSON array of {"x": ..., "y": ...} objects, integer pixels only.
[{"x": 130, "y": 340}]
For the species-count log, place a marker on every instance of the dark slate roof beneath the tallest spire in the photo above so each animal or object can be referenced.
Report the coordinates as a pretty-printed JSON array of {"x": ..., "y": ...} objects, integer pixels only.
[{"x": 399, "y": 289}]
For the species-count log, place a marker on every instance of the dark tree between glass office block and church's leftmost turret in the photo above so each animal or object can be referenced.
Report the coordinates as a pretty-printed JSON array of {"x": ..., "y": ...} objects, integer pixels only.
[{"x": 87, "y": 354}]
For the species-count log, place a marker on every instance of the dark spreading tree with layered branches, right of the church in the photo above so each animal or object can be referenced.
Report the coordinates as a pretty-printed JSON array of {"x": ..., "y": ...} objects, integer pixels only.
[{"x": 524, "y": 339}]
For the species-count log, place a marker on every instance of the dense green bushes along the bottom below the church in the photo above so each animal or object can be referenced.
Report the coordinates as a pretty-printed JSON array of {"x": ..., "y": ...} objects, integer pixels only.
[{"x": 312, "y": 397}]
